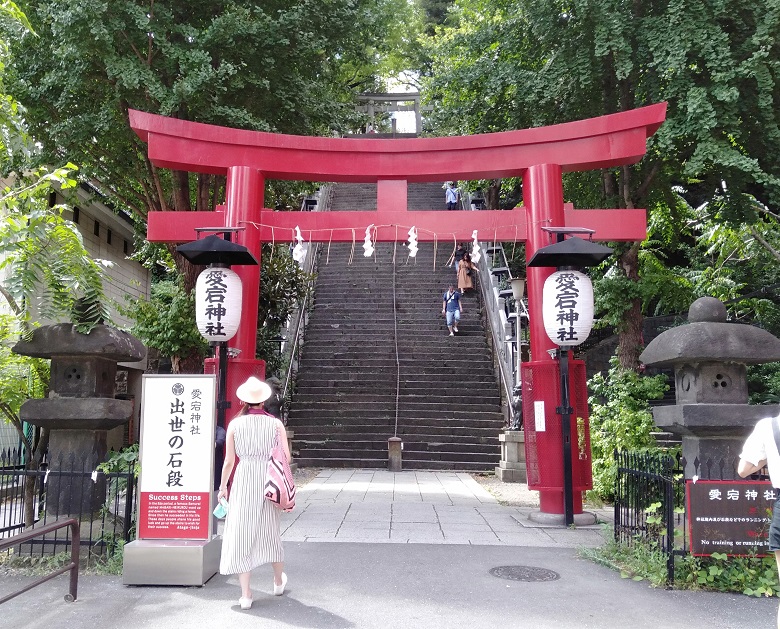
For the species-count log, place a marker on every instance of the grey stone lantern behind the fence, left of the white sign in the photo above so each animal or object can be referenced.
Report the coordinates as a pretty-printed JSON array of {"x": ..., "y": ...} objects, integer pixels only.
[{"x": 80, "y": 407}]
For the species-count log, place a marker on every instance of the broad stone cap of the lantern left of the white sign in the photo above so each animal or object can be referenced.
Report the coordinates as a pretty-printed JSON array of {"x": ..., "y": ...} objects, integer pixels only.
[{"x": 62, "y": 339}]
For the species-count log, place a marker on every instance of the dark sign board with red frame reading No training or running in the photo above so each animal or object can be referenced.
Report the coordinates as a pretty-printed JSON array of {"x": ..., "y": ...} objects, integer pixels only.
[{"x": 729, "y": 517}]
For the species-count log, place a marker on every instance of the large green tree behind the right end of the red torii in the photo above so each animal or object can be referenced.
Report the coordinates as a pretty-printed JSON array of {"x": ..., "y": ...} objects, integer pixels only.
[{"x": 533, "y": 62}]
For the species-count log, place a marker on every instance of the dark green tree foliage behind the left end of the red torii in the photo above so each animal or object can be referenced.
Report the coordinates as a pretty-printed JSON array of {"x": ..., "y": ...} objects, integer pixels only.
[{"x": 277, "y": 66}]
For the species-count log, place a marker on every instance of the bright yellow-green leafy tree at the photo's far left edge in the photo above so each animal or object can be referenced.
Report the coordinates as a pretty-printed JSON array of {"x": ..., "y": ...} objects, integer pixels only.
[{"x": 47, "y": 272}]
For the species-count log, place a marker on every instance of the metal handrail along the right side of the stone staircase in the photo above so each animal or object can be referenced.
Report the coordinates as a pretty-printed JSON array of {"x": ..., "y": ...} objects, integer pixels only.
[{"x": 494, "y": 265}]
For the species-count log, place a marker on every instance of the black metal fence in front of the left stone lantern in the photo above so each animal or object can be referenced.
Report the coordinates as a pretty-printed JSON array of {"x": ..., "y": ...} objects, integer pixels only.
[{"x": 23, "y": 502}]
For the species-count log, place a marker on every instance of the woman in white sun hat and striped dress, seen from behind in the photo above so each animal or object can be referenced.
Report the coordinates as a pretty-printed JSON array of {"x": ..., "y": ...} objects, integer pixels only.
[{"x": 251, "y": 537}]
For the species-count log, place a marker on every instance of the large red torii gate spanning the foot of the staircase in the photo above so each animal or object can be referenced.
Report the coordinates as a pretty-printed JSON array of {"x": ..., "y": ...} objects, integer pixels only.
[{"x": 539, "y": 155}]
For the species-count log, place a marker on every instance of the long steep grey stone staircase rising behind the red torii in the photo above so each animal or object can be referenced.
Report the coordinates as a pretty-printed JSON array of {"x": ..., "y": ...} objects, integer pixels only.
[{"x": 378, "y": 360}]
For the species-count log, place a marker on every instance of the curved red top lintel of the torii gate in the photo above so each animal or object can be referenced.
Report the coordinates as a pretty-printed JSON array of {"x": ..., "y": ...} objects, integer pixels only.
[{"x": 611, "y": 140}]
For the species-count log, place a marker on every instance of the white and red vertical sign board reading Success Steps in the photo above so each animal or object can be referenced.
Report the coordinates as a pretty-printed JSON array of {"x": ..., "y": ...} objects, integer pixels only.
[{"x": 177, "y": 457}]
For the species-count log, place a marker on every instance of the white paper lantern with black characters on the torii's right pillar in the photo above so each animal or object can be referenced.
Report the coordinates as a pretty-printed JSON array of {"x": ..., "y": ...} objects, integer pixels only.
[{"x": 567, "y": 307}]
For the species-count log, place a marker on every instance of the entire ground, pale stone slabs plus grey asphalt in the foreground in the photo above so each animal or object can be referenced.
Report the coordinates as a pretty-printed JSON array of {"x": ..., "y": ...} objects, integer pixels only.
[{"x": 413, "y": 550}]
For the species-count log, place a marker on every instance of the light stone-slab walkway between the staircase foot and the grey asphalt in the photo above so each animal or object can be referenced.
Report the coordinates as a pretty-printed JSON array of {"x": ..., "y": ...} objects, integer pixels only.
[{"x": 368, "y": 506}]
